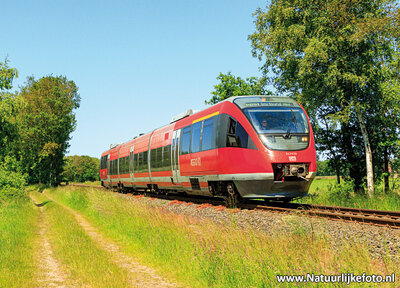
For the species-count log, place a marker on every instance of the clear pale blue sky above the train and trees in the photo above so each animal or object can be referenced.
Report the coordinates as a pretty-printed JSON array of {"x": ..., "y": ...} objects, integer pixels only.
[{"x": 136, "y": 63}]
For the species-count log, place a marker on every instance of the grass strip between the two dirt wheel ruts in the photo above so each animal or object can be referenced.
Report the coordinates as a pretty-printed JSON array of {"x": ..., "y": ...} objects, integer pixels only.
[{"x": 77, "y": 252}]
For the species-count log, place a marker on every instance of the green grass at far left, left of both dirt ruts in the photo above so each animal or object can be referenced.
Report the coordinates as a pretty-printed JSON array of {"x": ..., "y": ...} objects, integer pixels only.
[{"x": 18, "y": 231}]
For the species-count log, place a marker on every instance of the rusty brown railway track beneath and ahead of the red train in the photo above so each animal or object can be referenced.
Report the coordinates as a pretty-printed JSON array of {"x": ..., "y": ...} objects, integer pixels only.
[{"x": 366, "y": 216}]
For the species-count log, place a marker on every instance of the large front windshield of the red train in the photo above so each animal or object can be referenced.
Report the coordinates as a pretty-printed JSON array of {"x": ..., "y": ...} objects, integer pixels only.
[{"x": 280, "y": 128}]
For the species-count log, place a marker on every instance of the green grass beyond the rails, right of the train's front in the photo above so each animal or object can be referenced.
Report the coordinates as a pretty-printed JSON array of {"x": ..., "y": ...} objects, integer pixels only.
[{"x": 326, "y": 191}]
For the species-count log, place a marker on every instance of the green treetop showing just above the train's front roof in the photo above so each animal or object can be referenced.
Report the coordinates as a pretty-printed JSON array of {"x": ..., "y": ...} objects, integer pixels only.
[{"x": 235, "y": 86}]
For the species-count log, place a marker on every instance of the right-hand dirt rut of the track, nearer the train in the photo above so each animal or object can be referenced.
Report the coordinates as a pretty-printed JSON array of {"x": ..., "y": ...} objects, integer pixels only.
[{"x": 140, "y": 275}]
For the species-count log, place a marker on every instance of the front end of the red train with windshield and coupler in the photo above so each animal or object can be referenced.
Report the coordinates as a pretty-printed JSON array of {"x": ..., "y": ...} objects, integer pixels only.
[{"x": 286, "y": 146}]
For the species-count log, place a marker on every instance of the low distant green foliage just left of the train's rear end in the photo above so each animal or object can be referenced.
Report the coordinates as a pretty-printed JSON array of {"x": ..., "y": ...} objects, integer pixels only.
[{"x": 81, "y": 169}]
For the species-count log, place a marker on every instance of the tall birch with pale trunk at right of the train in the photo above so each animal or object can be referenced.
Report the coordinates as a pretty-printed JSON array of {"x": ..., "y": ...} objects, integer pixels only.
[{"x": 331, "y": 55}]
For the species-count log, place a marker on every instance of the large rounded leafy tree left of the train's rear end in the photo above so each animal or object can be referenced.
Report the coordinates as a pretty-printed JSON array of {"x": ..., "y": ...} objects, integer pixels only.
[{"x": 45, "y": 120}]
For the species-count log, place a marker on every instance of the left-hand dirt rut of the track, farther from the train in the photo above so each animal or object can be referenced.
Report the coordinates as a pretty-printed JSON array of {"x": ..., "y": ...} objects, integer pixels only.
[{"x": 50, "y": 272}]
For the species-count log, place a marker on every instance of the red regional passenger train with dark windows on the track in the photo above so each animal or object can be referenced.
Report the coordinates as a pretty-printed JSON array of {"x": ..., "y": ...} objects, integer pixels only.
[{"x": 243, "y": 147}]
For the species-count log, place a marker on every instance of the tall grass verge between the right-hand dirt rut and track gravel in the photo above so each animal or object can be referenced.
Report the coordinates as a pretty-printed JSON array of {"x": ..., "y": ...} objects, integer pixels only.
[{"x": 204, "y": 254}]
